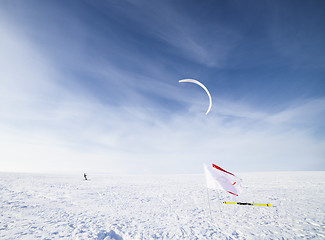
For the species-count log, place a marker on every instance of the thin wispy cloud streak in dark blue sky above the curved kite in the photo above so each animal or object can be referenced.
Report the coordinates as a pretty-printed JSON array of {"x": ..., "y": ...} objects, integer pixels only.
[{"x": 181, "y": 32}]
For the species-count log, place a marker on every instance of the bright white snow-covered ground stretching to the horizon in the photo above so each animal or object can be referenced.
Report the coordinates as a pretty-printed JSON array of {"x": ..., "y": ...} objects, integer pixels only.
[{"x": 160, "y": 207}]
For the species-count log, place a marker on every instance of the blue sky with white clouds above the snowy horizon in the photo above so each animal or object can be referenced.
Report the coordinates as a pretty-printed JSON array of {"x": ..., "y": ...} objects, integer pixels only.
[{"x": 92, "y": 86}]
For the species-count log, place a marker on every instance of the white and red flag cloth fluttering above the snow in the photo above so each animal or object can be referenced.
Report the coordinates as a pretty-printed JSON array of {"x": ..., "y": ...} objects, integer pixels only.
[{"x": 218, "y": 178}]
